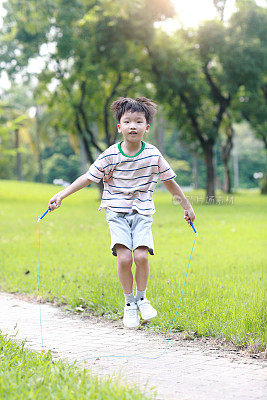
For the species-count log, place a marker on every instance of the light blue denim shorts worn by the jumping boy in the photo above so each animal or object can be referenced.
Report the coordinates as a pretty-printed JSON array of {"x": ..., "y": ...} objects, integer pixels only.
[{"x": 130, "y": 229}]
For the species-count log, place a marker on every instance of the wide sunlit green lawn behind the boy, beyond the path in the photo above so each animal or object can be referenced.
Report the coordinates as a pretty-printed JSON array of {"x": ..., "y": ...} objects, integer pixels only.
[{"x": 224, "y": 294}]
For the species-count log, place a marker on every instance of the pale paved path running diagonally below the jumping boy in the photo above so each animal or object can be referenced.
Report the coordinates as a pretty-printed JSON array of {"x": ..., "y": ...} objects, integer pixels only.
[{"x": 187, "y": 371}]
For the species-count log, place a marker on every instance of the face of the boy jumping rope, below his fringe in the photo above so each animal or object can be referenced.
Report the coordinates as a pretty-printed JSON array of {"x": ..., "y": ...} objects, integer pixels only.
[{"x": 133, "y": 126}]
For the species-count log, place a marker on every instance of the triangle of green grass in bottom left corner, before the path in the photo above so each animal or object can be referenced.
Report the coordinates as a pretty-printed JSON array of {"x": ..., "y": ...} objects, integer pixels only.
[{"x": 25, "y": 374}]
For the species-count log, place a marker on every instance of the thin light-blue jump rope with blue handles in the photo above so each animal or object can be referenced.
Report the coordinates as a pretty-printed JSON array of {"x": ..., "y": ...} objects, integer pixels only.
[{"x": 114, "y": 355}]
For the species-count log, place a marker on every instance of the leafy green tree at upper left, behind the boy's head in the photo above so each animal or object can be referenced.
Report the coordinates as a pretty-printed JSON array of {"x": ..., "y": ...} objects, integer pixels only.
[{"x": 97, "y": 51}]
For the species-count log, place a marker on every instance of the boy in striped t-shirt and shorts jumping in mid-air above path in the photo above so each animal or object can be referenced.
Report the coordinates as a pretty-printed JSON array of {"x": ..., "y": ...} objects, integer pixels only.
[{"x": 130, "y": 170}]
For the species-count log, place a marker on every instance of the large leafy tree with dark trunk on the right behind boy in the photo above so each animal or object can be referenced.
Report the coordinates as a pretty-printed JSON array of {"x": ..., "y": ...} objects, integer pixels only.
[{"x": 200, "y": 75}]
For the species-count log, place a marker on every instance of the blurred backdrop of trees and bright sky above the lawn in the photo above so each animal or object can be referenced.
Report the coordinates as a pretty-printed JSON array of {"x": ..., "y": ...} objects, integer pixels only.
[{"x": 63, "y": 62}]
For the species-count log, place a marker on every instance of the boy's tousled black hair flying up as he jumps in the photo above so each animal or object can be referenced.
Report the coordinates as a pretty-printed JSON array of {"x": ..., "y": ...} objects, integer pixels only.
[{"x": 140, "y": 104}]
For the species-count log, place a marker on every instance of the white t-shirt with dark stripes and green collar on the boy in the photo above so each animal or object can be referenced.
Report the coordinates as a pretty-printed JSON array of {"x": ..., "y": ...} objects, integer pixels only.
[{"x": 129, "y": 181}]
